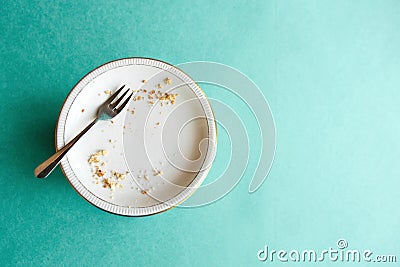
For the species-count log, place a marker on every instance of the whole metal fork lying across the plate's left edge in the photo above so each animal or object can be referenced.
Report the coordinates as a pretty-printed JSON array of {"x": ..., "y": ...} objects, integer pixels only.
[{"x": 106, "y": 111}]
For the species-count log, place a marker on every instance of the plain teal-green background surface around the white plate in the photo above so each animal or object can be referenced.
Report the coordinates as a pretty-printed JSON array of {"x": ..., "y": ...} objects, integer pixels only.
[{"x": 329, "y": 69}]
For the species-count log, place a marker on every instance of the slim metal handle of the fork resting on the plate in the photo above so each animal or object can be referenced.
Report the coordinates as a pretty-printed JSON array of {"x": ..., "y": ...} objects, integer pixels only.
[{"x": 44, "y": 169}]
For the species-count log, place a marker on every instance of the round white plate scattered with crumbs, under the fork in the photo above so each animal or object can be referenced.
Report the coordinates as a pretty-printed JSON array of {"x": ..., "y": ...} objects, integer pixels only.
[{"x": 165, "y": 149}]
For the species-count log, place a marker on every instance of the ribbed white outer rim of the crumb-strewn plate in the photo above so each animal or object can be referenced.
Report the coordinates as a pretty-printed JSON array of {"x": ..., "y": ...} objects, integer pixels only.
[{"x": 128, "y": 211}]
